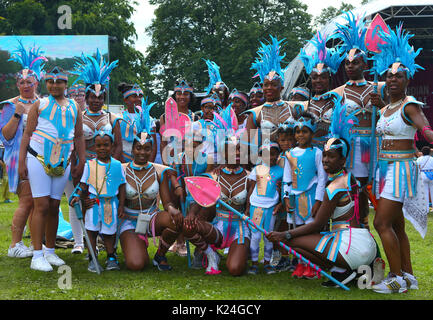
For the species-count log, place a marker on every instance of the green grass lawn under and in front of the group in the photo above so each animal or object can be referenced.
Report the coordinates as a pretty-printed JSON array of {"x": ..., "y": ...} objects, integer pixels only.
[{"x": 18, "y": 281}]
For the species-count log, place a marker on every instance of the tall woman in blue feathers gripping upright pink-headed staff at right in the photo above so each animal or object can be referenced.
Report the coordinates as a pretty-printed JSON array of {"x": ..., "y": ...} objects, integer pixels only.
[{"x": 360, "y": 97}]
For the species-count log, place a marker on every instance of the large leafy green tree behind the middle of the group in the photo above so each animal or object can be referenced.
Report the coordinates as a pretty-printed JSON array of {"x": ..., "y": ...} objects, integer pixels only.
[{"x": 229, "y": 32}]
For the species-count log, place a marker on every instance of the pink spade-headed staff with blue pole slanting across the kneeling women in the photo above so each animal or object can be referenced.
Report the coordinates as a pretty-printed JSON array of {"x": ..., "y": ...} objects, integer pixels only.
[{"x": 206, "y": 192}]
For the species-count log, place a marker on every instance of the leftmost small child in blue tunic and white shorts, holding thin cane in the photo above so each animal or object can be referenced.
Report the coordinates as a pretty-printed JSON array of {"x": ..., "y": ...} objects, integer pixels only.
[{"x": 104, "y": 180}]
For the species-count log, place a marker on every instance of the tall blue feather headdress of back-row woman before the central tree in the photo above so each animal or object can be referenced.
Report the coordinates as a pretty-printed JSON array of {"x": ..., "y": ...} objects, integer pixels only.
[{"x": 268, "y": 64}]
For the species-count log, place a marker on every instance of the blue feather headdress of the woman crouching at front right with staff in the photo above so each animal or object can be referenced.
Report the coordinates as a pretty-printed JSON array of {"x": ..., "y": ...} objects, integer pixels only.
[{"x": 340, "y": 127}]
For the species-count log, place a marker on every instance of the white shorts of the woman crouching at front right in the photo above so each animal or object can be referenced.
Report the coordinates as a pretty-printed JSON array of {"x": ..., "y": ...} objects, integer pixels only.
[{"x": 362, "y": 249}]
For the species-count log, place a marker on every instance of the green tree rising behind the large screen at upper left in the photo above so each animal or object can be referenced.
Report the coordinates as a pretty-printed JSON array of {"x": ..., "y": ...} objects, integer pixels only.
[{"x": 89, "y": 17}]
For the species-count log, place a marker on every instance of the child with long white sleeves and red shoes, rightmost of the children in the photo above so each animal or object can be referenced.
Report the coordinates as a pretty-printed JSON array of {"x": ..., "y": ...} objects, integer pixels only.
[{"x": 304, "y": 178}]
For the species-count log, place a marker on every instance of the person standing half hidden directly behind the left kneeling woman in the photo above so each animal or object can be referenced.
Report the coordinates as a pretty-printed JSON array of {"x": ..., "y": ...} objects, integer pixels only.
[{"x": 129, "y": 119}]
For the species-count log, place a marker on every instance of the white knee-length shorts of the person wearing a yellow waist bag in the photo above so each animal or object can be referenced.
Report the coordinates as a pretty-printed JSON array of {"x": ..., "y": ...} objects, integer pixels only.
[{"x": 43, "y": 185}]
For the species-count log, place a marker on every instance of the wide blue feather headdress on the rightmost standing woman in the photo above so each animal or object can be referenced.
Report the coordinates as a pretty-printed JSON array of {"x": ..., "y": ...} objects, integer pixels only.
[{"x": 396, "y": 52}]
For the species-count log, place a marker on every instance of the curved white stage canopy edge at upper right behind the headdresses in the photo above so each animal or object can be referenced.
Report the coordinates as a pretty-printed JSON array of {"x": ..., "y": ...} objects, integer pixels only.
[{"x": 388, "y": 9}]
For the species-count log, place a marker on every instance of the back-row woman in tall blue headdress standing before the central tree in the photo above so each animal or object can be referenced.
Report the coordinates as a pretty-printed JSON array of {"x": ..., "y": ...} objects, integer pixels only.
[{"x": 274, "y": 111}]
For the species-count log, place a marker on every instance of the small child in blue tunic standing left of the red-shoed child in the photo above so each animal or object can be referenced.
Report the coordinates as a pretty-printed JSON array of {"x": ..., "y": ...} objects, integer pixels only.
[{"x": 265, "y": 202}]
